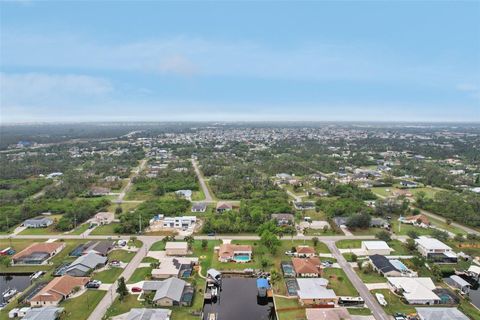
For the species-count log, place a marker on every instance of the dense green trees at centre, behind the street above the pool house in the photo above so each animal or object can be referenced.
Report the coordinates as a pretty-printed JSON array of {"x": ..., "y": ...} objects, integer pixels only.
[{"x": 252, "y": 213}]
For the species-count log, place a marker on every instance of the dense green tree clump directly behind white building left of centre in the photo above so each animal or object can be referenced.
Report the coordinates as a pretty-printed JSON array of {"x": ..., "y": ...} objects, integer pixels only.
[{"x": 130, "y": 222}]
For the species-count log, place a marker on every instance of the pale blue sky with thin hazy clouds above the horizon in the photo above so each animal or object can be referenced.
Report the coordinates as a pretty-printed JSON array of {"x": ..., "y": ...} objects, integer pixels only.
[{"x": 238, "y": 61}]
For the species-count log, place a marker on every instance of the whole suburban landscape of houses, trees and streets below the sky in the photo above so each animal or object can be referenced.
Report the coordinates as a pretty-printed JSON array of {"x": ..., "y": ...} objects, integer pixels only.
[{"x": 240, "y": 221}]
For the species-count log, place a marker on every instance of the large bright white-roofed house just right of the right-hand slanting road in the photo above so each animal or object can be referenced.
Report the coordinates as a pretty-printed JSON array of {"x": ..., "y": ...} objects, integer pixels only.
[{"x": 415, "y": 290}]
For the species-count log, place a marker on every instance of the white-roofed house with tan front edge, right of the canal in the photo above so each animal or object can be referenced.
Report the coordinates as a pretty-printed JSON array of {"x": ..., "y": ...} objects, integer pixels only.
[{"x": 313, "y": 291}]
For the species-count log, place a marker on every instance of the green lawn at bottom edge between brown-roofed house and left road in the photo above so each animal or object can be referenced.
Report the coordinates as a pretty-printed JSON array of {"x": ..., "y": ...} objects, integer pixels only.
[{"x": 79, "y": 308}]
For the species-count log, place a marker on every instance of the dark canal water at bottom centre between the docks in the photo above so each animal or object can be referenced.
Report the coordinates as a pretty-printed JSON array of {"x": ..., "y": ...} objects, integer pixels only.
[{"x": 238, "y": 301}]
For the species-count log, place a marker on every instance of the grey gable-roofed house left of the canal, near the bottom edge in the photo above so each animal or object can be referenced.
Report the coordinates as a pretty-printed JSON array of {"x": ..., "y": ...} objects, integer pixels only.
[{"x": 168, "y": 292}]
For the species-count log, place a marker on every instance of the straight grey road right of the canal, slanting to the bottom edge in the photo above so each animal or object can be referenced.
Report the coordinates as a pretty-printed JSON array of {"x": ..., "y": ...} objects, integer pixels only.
[{"x": 370, "y": 301}]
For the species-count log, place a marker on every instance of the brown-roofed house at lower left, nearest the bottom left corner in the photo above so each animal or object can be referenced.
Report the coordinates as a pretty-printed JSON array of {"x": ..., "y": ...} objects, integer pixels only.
[{"x": 57, "y": 290}]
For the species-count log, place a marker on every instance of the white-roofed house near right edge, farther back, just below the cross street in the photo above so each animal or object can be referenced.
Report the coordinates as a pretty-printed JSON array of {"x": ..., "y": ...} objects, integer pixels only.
[{"x": 435, "y": 250}]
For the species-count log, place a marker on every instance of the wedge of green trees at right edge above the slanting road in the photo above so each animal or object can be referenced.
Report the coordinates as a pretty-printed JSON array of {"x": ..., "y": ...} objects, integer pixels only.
[{"x": 461, "y": 207}]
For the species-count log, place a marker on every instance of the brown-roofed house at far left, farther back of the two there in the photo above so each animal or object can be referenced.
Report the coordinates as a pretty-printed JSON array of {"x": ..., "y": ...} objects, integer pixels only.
[{"x": 38, "y": 253}]
